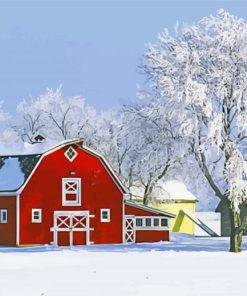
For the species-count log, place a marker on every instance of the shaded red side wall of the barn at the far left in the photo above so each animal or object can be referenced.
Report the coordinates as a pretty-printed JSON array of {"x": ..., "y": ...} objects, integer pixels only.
[{"x": 8, "y": 230}]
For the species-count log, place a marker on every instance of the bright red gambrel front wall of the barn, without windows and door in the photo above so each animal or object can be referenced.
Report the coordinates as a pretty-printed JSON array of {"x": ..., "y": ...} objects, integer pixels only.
[{"x": 44, "y": 191}]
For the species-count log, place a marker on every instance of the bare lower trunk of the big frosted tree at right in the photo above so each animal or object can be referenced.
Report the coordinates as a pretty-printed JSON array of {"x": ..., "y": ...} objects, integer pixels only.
[{"x": 236, "y": 232}]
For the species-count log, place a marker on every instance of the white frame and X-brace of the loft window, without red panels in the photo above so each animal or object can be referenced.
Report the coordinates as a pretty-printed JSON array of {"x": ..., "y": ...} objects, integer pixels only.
[{"x": 66, "y": 202}]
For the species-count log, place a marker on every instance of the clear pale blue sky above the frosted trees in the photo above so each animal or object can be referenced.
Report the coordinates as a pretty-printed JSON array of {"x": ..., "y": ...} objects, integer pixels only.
[{"x": 92, "y": 48}]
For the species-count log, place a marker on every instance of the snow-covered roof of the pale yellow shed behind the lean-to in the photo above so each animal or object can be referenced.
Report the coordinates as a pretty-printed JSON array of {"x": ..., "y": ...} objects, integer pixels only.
[{"x": 172, "y": 190}]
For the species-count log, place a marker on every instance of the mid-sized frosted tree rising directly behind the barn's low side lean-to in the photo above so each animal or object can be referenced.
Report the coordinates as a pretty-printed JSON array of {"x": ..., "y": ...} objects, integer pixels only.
[{"x": 155, "y": 151}]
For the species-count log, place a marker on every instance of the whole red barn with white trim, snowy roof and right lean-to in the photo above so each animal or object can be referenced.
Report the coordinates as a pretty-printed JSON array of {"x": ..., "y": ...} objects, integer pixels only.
[{"x": 69, "y": 195}]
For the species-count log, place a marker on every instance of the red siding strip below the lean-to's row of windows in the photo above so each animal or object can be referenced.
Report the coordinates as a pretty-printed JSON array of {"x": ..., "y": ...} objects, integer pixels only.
[{"x": 145, "y": 236}]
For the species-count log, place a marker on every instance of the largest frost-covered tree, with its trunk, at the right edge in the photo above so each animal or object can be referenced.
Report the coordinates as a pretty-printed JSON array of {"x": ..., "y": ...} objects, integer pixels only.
[{"x": 200, "y": 75}]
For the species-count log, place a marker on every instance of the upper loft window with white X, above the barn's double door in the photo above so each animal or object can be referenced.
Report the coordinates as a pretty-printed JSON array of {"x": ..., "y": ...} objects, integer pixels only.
[{"x": 71, "y": 192}]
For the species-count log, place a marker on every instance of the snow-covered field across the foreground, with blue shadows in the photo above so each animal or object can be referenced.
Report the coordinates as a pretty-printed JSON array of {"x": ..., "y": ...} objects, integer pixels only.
[{"x": 184, "y": 267}]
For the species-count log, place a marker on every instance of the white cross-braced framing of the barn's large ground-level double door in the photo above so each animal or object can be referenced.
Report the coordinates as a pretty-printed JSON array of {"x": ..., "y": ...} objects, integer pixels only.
[{"x": 68, "y": 225}]
